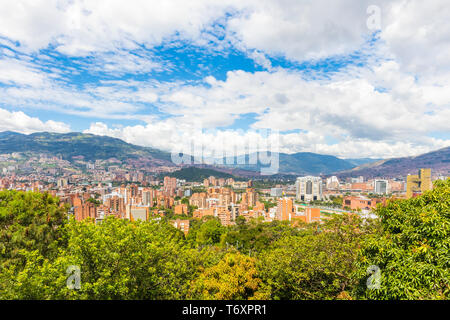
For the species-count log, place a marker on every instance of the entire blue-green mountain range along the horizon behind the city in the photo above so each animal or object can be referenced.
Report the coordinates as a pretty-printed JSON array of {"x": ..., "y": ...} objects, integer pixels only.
[{"x": 89, "y": 147}]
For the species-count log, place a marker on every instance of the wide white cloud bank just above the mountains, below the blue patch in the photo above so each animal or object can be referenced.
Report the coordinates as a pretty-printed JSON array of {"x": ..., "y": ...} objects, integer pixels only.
[{"x": 349, "y": 107}]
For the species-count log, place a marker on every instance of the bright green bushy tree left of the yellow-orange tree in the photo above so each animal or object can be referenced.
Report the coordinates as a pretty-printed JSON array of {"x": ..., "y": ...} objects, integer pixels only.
[{"x": 118, "y": 259}]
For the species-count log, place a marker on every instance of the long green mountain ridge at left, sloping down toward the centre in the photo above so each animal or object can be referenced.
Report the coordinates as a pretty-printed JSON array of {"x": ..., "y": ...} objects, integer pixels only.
[{"x": 89, "y": 147}]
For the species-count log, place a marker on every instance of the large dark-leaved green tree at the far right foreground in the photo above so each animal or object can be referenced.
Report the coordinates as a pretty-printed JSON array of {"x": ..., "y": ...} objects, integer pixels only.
[{"x": 412, "y": 249}]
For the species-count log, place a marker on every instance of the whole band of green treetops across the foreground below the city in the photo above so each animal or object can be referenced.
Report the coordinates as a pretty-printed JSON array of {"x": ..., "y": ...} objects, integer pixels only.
[{"x": 119, "y": 259}]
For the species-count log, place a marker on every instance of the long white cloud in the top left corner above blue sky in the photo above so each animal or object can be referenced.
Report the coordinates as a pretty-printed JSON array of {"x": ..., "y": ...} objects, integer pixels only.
[{"x": 81, "y": 27}]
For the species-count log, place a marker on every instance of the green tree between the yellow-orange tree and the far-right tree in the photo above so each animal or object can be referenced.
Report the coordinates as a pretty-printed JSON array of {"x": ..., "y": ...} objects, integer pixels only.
[{"x": 315, "y": 265}]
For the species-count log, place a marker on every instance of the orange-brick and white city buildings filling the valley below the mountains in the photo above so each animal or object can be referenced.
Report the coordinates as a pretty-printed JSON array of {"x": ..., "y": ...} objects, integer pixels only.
[{"x": 140, "y": 196}]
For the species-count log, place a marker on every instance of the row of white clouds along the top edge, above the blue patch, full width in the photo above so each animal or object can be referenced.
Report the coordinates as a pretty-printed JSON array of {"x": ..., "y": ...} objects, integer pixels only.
[{"x": 414, "y": 31}]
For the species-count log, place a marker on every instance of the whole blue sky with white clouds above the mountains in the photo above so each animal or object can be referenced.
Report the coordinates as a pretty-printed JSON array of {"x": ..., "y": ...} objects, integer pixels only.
[{"x": 352, "y": 79}]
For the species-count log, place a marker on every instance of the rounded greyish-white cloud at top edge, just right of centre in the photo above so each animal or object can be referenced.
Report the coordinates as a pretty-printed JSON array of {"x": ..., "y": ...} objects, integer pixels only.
[{"x": 302, "y": 30}]
